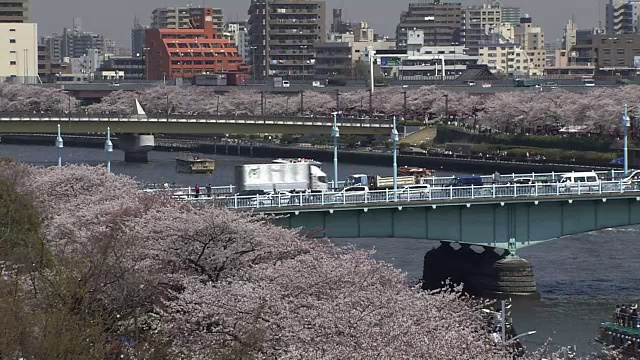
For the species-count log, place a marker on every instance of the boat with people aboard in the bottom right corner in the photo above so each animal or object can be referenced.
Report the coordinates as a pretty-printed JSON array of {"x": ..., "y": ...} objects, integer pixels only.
[{"x": 623, "y": 332}]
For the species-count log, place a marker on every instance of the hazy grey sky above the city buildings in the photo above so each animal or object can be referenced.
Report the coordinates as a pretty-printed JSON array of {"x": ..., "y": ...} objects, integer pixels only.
[{"x": 114, "y": 18}]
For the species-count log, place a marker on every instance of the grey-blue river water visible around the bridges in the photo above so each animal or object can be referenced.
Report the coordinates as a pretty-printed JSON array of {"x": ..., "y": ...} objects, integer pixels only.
[{"x": 580, "y": 278}]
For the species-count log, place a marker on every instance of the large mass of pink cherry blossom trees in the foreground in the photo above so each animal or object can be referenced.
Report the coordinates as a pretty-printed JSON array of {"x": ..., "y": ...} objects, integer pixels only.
[{"x": 200, "y": 282}]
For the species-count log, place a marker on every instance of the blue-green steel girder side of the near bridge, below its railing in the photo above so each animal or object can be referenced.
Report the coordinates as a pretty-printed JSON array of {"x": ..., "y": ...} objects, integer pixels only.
[{"x": 506, "y": 224}]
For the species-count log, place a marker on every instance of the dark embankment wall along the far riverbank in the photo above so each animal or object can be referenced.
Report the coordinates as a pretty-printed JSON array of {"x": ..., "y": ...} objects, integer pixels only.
[{"x": 325, "y": 155}]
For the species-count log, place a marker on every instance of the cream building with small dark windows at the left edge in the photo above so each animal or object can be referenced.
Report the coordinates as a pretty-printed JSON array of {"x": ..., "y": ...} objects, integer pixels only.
[{"x": 19, "y": 53}]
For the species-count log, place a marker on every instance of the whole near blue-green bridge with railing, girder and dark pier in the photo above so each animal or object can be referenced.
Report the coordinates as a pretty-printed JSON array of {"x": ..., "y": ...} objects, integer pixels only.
[{"x": 487, "y": 223}]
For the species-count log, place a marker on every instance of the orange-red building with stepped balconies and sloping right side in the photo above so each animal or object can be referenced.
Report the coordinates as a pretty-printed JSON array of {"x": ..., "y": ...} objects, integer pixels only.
[{"x": 186, "y": 52}]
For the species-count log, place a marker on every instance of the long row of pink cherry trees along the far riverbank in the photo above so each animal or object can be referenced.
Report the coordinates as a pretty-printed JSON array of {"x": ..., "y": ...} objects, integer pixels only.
[{"x": 597, "y": 108}]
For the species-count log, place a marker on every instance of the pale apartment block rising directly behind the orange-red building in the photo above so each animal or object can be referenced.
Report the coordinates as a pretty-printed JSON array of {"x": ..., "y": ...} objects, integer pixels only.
[{"x": 187, "y": 18}]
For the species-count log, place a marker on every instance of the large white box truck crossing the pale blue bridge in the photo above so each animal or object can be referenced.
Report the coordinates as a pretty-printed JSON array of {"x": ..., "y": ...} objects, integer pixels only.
[{"x": 291, "y": 177}]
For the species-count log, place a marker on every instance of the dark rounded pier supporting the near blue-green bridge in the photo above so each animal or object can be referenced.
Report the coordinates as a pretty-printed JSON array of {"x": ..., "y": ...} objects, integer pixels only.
[{"x": 484, "y": 273}]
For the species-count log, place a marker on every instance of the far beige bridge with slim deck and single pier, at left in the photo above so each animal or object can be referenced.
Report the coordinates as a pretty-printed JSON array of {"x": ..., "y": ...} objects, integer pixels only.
[{"x": 135, "y": 132}]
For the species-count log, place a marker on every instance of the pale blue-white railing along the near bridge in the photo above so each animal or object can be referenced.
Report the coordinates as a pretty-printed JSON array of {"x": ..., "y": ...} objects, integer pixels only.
[{"x": 418, "y": 195}]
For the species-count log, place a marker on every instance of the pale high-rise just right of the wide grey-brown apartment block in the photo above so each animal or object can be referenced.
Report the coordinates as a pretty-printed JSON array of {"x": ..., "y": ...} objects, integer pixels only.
[{"x": 480, "y": 23}]
